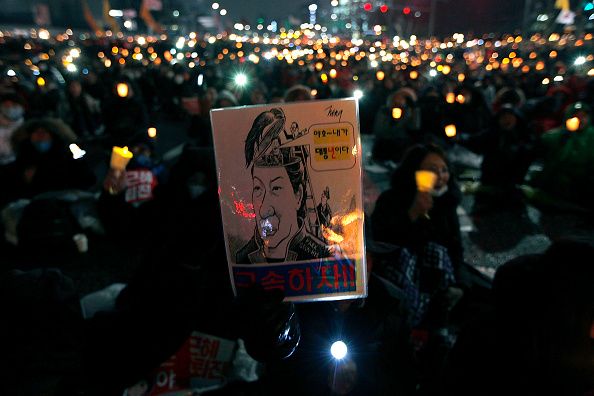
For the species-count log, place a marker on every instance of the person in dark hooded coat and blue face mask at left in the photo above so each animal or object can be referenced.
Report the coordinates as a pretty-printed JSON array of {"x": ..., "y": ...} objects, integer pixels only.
[{"x": 43, "y": 161}]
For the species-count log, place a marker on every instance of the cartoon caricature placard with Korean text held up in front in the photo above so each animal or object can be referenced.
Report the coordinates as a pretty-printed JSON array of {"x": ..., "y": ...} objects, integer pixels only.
[{"x": 291, "y": 198}]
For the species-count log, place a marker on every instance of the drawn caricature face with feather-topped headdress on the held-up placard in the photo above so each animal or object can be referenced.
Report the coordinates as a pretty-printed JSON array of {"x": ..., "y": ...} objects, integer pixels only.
[{"x": 278, "y": 196}]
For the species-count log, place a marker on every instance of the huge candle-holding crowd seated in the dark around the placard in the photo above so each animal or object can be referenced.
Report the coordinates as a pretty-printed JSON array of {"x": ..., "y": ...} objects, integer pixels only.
[{"x": 65, "y": 102}]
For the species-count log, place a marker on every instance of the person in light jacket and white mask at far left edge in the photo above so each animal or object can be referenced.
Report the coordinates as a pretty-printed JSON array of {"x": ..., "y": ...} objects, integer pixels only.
[{"x": 11, "y": 117}]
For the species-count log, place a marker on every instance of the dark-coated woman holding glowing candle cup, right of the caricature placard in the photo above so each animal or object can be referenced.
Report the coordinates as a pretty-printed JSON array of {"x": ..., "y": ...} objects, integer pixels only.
[{"x": 425, "y": 222}]
